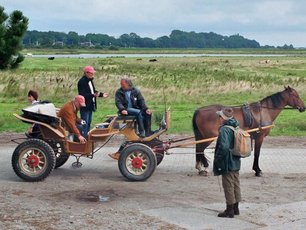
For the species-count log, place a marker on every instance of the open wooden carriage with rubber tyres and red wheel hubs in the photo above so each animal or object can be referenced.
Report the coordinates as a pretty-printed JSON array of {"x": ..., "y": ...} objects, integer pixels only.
[{"x": 35, "y": 158}]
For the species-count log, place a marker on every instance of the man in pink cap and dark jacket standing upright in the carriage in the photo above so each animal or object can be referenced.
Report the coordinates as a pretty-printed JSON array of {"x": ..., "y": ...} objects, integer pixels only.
[{"x": 87, "y": 89}]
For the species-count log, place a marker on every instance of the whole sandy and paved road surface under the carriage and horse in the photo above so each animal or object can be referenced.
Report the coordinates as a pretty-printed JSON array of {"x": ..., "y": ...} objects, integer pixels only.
[{"x": 96, "y": 196}]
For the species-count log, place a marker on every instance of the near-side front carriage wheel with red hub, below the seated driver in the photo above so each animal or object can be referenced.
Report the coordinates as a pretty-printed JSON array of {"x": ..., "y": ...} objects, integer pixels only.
[{"x": 137, "y": 162}]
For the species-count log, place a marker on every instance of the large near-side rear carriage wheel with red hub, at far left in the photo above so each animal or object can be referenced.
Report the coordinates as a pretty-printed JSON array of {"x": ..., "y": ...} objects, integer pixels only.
[{"x": 33, "y": 160}]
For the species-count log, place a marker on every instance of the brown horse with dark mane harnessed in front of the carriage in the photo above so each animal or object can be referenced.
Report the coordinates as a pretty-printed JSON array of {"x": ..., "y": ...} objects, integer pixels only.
[{"x": 206, "y": 122}]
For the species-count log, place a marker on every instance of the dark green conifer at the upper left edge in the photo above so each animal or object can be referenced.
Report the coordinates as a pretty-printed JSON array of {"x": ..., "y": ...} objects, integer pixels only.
[{"x": 12, "y": 30}]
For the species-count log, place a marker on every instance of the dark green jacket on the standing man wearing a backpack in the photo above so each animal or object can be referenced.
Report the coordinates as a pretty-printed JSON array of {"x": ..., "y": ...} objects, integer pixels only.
[{"x": 224, "y": 161}]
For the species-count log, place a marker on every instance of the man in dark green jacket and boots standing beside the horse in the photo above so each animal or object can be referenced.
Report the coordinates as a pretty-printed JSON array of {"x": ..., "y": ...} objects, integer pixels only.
[{"x": 226, "y": 164}]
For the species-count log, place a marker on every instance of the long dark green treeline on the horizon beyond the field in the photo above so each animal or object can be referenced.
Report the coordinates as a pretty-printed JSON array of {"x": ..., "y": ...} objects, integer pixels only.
[{"x": 177, "y": 39}]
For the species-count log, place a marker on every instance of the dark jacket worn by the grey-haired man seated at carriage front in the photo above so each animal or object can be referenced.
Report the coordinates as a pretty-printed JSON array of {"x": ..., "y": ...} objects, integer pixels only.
[{"x": 137, "y": 100}]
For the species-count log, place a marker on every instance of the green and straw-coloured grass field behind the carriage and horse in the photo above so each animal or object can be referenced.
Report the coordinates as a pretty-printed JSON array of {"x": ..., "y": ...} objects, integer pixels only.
[{"x": 183, "y": 83}]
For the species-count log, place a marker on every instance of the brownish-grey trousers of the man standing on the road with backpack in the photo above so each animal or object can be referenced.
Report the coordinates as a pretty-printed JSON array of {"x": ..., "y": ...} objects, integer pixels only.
[{"x": 231, "y": 187}]
